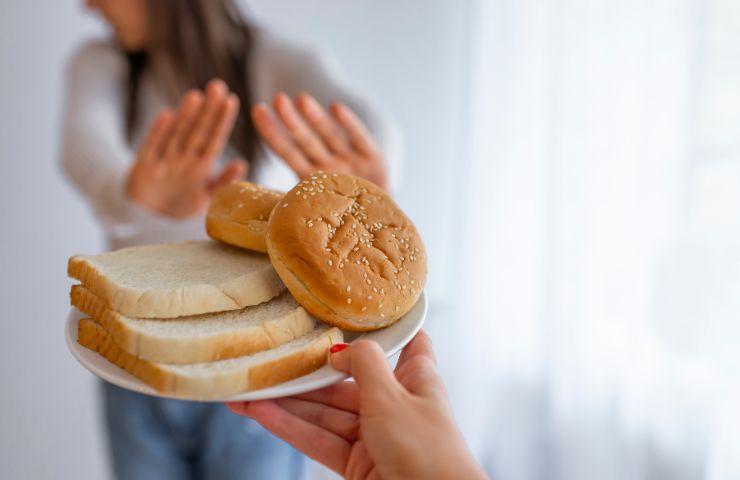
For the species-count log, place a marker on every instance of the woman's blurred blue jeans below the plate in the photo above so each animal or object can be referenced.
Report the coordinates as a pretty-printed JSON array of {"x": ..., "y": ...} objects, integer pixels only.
[{"x": 155, "y": 438}]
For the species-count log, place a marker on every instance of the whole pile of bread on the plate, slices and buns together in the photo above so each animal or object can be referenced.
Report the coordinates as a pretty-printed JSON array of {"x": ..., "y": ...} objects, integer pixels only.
[{"x": 208, "y": 319}]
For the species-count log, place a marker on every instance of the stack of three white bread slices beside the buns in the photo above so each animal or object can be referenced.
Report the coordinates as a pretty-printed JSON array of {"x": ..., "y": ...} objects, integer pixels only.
[{"x": 196, "y": 320}]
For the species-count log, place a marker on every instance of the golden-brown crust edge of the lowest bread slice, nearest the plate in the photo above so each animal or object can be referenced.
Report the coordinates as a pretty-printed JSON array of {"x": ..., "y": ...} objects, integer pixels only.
[{"x": 168, "y": 380}]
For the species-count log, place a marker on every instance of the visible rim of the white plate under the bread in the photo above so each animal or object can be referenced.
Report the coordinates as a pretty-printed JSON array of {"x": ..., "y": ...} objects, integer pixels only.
[{"x": 391, "y": 339}]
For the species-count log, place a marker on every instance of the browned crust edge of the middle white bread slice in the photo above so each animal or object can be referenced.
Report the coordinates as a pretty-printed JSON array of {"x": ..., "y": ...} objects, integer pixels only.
[{"x": 217, "y": 345}]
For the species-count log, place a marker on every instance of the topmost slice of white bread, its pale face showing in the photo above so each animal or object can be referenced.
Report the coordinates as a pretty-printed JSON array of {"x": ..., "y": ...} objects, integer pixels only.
[{"x": 177, "y": 279}]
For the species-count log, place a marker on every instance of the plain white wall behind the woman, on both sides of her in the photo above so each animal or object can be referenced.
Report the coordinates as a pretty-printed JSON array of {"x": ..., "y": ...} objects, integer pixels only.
[{"x": 409, "y": 55}]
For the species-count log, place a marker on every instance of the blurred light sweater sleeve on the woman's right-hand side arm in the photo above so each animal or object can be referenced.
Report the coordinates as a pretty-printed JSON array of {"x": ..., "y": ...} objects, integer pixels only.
[{"x": 283, "y": 66}]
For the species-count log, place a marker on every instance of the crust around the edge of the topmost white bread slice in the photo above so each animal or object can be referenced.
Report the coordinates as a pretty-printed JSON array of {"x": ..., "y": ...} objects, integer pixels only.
[{"x": 190, "y": 297}]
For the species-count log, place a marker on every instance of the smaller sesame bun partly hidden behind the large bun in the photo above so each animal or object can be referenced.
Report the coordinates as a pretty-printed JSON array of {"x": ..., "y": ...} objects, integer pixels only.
[{"x": 238, "y": 214}]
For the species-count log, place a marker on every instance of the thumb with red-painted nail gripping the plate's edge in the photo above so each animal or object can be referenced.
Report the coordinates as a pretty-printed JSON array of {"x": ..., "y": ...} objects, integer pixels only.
[{"x": 366, "y": 362}]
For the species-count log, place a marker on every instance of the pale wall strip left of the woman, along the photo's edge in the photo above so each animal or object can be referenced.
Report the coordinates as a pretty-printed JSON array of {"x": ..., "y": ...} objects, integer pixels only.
[{"x": 48, "y": 410}]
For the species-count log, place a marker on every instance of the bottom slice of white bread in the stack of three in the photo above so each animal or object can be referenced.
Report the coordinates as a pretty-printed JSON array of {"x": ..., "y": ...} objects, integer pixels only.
[{"x": 202, "y": 381}]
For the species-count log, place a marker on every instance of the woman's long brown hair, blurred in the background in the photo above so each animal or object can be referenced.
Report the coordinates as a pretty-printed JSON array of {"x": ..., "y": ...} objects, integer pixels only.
[{"x": 192, "y": 42}]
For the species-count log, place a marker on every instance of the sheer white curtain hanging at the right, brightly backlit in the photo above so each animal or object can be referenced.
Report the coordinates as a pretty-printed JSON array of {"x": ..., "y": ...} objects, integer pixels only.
[{"x": 602, "y": 235}]
